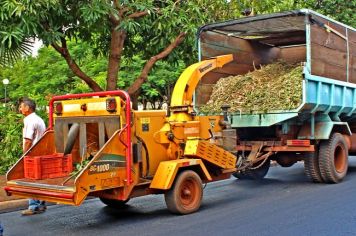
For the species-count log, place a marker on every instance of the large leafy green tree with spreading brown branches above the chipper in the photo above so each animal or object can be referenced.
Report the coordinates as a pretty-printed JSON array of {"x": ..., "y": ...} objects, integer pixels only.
[{"x": 149, "y": 28}]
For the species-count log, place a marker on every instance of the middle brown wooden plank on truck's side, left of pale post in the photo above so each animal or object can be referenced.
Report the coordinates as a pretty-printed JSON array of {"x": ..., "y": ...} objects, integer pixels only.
[{"x": 328, "y": 55}]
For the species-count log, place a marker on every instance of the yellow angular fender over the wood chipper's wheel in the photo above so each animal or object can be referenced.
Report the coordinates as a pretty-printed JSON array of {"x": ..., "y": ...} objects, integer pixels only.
[{"x": 167, "y": 171}]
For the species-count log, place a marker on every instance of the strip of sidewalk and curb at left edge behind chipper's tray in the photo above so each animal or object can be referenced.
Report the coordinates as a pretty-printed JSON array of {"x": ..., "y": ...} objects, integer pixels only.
[{"x": 10, "y": 203}]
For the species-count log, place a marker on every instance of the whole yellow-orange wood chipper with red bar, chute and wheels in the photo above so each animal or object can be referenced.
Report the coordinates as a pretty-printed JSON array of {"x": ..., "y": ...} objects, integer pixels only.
[{"x": 96, "y": 145}]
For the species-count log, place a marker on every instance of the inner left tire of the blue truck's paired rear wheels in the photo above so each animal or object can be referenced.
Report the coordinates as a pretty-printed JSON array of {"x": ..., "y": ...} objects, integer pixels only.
[{"x": 311, "y": 167}]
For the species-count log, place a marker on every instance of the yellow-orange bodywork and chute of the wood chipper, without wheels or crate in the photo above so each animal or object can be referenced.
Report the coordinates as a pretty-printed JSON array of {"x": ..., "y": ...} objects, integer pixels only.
[{"x": 175, "y": 143}]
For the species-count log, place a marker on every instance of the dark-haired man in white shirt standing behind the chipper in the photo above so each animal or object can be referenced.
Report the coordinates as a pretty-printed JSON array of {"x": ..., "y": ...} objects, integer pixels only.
[{"x": 34, "y": 127}]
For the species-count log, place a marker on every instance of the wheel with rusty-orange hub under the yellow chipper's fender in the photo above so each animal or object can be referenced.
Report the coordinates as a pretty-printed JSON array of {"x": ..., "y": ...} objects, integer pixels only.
[{"x": 186, "y": 194}]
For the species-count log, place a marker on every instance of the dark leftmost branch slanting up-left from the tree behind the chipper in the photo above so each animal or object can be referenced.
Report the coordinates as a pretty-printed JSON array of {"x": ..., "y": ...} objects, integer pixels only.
[{"x": 74, "y": 66}]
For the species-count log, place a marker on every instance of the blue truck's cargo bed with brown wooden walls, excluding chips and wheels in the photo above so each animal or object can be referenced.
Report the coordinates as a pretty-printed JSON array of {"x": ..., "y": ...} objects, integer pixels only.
[{"x": 326, "y": 47}]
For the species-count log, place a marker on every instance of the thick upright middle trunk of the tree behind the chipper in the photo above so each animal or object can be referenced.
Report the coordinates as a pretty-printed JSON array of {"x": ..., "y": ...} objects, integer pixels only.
[{"x": 116, "y": 46}]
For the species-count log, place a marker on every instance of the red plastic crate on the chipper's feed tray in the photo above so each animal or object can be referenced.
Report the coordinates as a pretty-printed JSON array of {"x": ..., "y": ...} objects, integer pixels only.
[{"x": 48, "y": 166}]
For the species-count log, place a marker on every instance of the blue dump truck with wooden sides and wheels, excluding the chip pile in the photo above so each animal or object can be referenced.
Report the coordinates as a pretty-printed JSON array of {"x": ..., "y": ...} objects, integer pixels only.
[{"x": 320, "y": 131}]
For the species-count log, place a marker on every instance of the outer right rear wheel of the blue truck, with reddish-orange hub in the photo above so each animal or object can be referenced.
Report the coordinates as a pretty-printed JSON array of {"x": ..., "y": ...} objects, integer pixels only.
[{"x": 333, "y": 159}]
